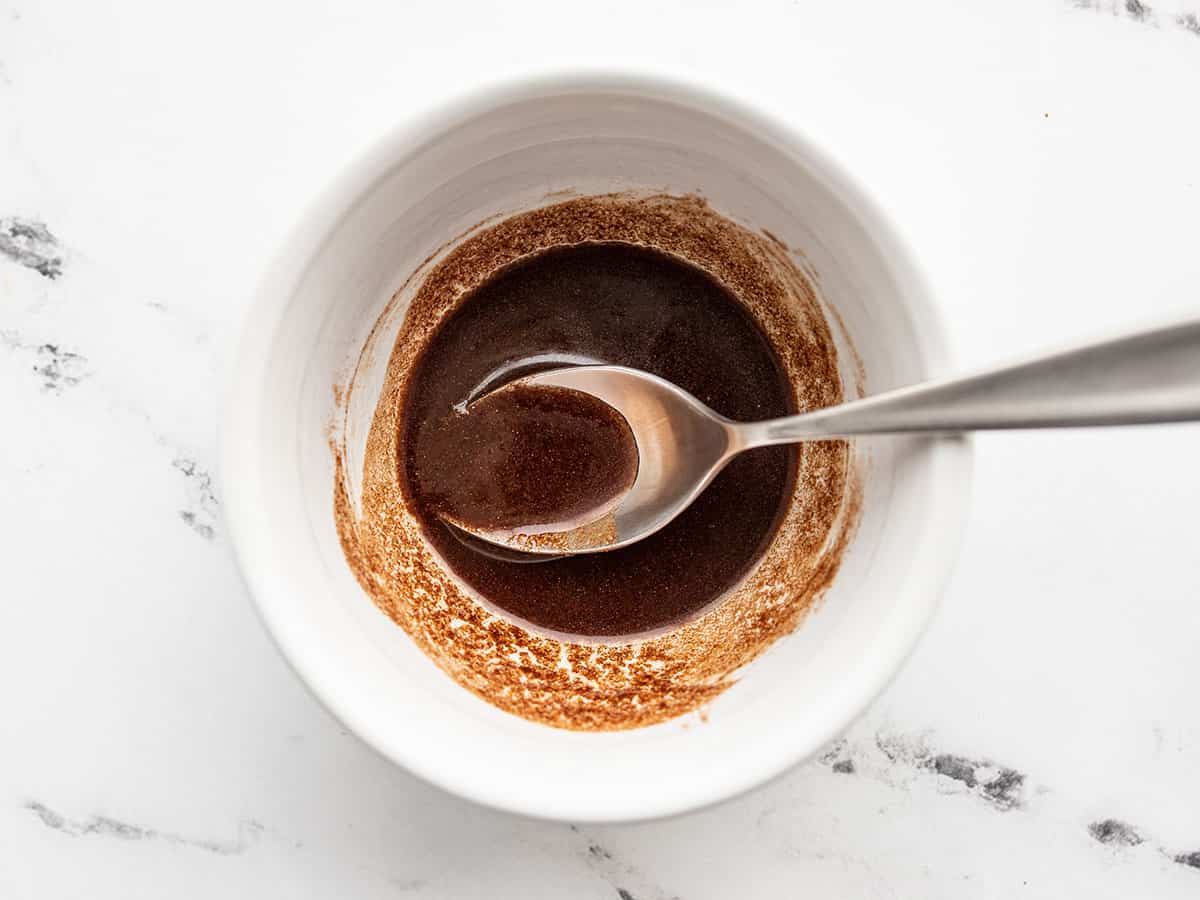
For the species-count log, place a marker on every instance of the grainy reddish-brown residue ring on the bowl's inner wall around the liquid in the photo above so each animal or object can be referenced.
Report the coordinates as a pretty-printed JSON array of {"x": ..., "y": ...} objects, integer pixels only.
[{"x": 572, "y": 683}]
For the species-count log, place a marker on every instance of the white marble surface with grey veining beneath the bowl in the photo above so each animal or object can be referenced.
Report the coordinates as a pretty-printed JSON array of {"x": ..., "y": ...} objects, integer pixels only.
[{"x": 1046, "y": 158}]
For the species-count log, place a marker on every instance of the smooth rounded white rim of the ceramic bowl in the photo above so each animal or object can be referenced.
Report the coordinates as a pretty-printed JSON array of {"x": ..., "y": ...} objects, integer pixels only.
[{"x": 952, "y": 458}]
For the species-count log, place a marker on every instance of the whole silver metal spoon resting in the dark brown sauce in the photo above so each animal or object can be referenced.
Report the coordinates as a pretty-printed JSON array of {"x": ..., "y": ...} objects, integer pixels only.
[{"x": 682, "y": 445}]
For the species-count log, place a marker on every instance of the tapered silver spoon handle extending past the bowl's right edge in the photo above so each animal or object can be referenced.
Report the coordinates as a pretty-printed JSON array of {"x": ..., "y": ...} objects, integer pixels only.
[{"x": 1148, "y": 377}]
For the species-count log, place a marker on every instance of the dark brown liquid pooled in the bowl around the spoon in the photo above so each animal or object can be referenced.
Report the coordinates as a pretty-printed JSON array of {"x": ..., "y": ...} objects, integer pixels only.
[{"x": 625, "y": 305}]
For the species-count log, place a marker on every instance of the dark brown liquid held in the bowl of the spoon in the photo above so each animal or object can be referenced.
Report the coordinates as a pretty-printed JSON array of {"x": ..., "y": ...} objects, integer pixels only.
[{"x": 521, "y": 458}]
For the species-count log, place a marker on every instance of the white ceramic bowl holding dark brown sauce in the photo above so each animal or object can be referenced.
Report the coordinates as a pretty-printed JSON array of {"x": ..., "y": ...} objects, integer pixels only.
[{"x": 502, "y": 151}]
